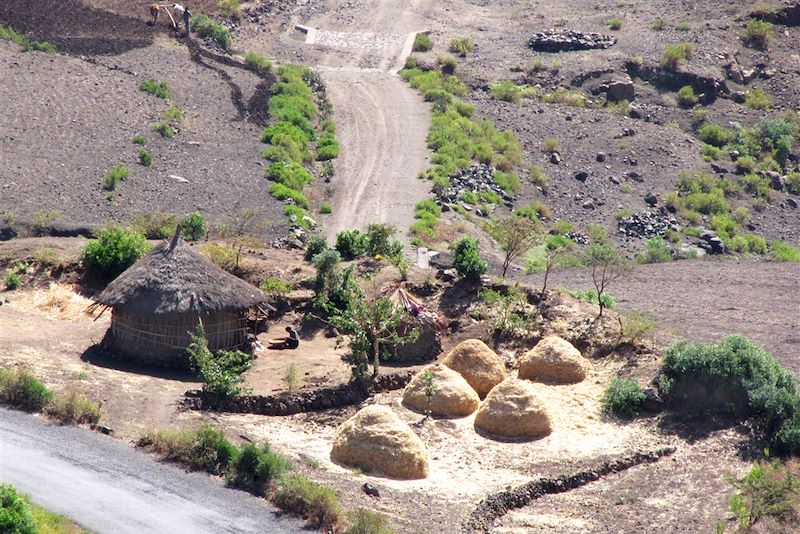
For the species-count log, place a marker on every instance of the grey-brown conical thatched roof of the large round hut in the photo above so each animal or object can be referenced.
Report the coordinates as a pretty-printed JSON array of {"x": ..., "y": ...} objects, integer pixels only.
[{"x": 174, "y": 279}]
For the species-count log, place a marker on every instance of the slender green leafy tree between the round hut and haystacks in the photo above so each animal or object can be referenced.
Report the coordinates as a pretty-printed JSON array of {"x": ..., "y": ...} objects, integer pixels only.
[{"x": 371, "y": 321}]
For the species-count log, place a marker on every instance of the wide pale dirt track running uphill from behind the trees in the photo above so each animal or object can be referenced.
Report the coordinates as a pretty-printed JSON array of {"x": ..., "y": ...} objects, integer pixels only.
[{"x": 381, "y": 122}]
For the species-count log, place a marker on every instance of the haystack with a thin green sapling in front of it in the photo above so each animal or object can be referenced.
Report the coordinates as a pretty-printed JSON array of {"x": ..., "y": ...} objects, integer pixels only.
[{"x": 454, "y": 397}]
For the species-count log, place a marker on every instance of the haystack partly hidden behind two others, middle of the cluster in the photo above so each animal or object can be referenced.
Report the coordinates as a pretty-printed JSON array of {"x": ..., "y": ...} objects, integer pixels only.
[{"x": 478, "y": 364}]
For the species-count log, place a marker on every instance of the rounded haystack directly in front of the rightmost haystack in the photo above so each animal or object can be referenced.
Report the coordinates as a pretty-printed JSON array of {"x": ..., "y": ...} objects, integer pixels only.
[{"x": 513, "y": 410}]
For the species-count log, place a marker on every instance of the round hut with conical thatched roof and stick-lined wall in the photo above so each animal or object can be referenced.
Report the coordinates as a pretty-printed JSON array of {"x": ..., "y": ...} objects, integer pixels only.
[{"x": 166, "y": 295}]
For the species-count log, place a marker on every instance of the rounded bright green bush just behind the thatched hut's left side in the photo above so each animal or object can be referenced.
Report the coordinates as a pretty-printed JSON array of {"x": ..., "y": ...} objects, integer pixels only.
[{"x": 114, "y": 250}]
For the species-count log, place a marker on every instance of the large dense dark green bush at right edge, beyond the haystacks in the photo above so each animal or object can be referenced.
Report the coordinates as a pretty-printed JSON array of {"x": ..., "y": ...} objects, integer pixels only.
[{"x": 736, "y": 376}]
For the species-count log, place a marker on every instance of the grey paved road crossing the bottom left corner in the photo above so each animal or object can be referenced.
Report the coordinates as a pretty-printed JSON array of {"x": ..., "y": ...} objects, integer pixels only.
[{"x": 108, "y": 487}]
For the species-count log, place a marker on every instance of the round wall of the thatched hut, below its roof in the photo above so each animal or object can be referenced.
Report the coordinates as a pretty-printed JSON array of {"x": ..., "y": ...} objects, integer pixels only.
[{"x": 161, "y": 340}]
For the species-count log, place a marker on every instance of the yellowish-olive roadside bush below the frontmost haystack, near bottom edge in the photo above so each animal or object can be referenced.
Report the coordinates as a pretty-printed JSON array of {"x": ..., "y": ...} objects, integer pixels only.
[{"x": 318, "y": 504}]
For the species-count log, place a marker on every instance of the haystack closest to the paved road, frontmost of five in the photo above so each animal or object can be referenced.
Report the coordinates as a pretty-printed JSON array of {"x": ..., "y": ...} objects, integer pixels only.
[{"x": 375, "y": 439}]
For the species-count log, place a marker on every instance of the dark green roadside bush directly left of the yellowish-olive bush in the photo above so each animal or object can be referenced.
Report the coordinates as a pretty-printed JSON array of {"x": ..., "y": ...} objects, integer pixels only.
[{"x": 255, "y": 468}]
